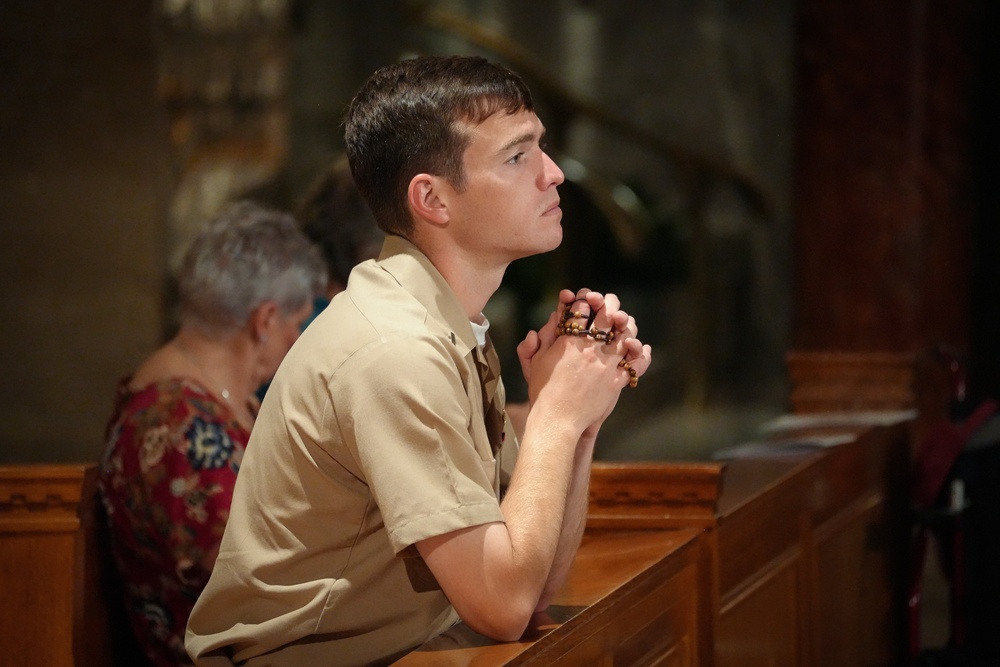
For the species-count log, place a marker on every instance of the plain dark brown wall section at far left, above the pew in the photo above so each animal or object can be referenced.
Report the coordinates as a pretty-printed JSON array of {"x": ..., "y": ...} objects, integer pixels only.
[{"x": 85, "y": 176}]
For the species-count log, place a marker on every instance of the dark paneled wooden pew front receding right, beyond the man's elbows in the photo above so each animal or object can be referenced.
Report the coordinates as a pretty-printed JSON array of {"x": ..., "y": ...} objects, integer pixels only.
[{"x": 812, "y": 556}]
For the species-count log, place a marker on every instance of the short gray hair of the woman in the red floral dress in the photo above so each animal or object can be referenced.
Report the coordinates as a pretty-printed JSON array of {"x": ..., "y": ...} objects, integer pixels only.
[{"x": 250, "y": 254}]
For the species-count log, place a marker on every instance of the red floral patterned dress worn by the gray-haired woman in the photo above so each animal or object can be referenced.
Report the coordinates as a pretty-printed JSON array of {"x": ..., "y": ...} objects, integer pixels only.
[{"x": 173, "y": 451}]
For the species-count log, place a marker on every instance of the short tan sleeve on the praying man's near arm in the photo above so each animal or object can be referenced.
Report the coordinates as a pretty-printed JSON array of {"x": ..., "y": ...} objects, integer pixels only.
[{"x": 411, "y": 429}]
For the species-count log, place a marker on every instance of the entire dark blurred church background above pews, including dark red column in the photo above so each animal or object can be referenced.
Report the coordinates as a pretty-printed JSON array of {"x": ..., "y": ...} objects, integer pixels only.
[{"x": 751, "y": 178}]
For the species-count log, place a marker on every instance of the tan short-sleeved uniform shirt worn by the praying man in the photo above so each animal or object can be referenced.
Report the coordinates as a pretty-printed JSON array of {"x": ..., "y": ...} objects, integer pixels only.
[{"x": 370, "y": 439}]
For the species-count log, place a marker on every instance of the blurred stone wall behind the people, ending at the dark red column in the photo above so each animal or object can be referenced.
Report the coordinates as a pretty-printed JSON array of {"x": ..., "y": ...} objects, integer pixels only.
[{"x": 124, "y": 125}]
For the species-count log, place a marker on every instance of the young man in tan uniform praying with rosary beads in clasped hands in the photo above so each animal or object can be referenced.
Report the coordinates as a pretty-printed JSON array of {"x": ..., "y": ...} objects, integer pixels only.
[{"x": 389, "y": 497}]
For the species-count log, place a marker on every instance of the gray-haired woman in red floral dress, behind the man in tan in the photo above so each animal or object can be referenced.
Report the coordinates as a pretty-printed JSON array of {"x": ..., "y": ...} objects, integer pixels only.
[{"x": 181, "y": 421}]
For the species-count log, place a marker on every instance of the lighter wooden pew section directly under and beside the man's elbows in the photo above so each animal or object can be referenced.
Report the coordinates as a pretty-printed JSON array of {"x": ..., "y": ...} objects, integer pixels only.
[{"x": 636, "y": 592}]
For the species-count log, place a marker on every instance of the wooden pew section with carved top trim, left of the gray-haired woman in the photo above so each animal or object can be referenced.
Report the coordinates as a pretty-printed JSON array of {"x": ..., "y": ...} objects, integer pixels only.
[{"x": 61, "y": 601}]
